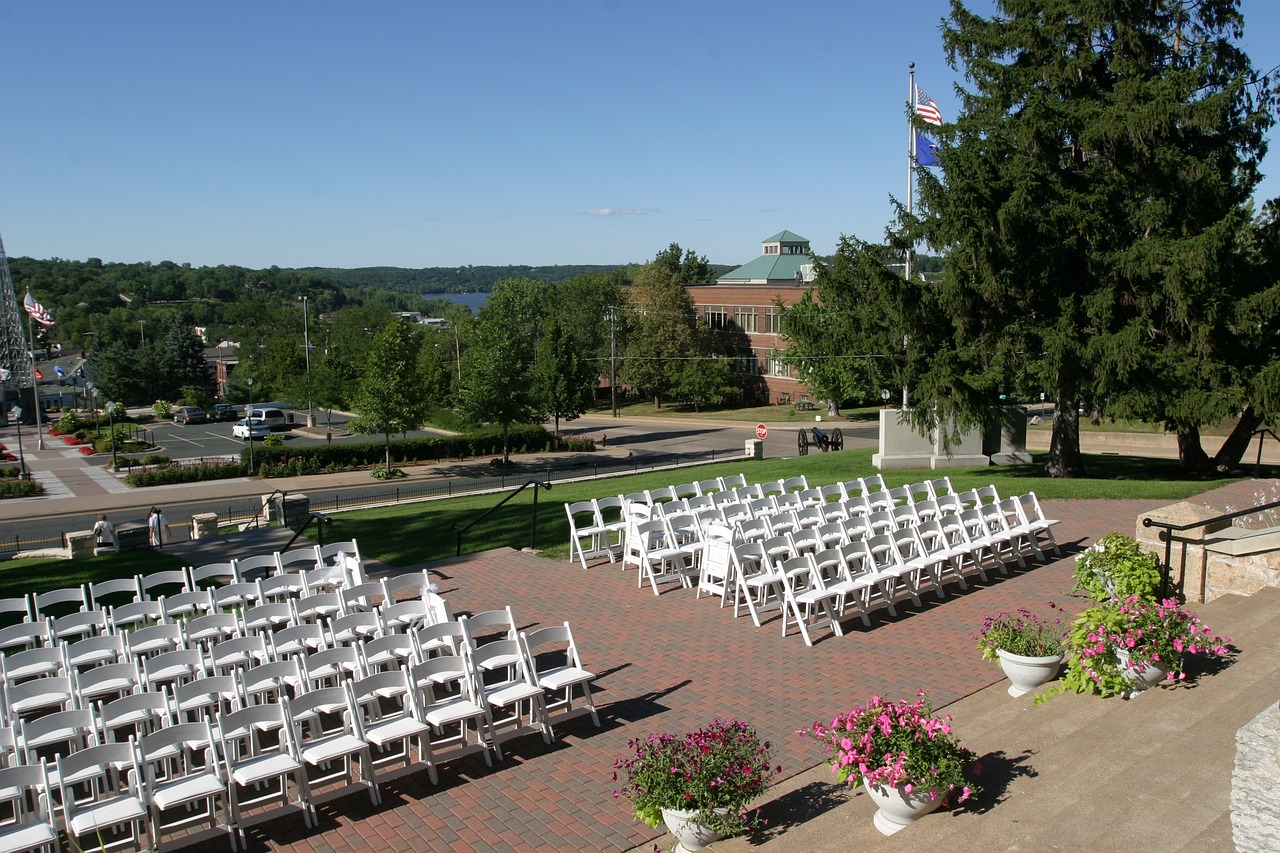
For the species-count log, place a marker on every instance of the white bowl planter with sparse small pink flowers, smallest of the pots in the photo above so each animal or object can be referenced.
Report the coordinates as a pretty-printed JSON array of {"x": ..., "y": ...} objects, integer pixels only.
[{"x": 1027, "y": 647}]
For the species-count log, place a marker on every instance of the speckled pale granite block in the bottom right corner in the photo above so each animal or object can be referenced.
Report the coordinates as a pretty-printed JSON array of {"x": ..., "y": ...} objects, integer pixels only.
[{"x": 1255, "y": 796}]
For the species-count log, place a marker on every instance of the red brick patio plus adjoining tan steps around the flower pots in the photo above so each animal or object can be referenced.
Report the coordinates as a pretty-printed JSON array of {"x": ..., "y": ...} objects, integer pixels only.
[{"x": 673, "y": 663}]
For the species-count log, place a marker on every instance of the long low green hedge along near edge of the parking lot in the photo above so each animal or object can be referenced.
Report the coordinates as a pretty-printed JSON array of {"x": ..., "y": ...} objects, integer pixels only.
[{"x": 318, "y": 459}]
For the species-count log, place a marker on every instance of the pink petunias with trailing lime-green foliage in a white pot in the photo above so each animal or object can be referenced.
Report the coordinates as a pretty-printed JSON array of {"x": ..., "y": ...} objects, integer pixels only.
[{"x": 1126, "y": 649}]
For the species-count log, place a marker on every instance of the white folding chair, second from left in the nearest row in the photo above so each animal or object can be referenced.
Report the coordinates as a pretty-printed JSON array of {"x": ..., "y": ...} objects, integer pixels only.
[{"x": 102, "y": 792}]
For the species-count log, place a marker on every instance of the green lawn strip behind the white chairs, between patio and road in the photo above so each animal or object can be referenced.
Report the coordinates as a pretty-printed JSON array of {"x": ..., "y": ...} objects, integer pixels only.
[{"x": 412, "y": 535}]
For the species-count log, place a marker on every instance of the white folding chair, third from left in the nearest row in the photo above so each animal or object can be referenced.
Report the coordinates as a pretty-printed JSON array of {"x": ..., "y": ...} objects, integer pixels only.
[{"x": 184, "y": 769}]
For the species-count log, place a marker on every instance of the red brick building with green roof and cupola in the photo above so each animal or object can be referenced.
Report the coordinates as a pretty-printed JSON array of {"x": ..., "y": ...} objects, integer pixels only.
[{"x": 746, "y": 305}]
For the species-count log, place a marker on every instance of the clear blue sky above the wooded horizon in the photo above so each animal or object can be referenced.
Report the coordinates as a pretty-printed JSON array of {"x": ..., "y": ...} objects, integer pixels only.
[{"x": 415, "y": 134}]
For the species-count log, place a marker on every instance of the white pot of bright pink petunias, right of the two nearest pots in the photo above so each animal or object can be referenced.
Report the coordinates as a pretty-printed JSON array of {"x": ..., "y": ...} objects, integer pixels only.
[{"x": 908, "y": 759}]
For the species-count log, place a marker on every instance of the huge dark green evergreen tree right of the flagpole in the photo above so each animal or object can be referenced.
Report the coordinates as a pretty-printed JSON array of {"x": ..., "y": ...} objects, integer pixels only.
[{"x": 1090, "y": 200}]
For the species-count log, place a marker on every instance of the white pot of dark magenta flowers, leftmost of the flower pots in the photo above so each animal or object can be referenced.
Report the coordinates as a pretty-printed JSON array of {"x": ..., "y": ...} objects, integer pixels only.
[{"x": 700, "y": 781}]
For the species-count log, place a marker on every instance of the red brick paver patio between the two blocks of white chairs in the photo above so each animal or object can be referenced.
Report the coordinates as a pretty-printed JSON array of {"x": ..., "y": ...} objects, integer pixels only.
[{"x": 670, "y": 664}]
